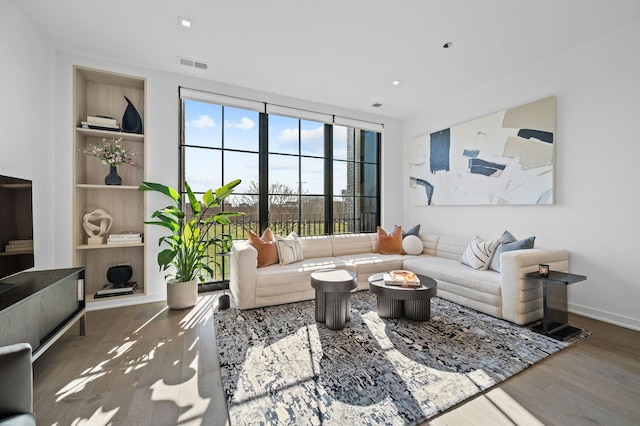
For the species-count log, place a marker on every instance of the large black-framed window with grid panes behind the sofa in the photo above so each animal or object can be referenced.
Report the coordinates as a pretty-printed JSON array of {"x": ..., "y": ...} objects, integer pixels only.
[{"x": 299, "y": 174}]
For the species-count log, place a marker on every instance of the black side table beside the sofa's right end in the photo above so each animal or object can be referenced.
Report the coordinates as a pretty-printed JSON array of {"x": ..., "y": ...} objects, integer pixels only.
[{"x": 555, "y": 321}]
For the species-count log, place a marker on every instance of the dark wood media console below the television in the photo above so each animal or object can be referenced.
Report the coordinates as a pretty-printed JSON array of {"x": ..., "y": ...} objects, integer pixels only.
[{"x": 40, "y": 306}]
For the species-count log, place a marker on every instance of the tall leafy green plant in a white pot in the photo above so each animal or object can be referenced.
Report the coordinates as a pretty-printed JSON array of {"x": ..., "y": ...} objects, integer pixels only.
[{"x": 189, "y": 239}]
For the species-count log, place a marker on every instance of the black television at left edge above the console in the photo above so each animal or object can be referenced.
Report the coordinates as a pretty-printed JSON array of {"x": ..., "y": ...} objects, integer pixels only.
[{"x": 16, "y": 225}]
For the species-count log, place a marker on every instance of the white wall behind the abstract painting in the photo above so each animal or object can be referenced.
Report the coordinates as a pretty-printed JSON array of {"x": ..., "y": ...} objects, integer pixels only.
[{"x": 597, "y": 169}]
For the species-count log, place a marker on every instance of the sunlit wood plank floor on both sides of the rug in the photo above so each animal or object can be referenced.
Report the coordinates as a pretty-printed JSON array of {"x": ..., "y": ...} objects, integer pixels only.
[{"x": 148, "y": 365}]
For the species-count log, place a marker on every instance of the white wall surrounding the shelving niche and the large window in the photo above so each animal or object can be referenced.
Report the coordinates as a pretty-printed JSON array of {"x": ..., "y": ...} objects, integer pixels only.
[{"x": 162, "y": 138}]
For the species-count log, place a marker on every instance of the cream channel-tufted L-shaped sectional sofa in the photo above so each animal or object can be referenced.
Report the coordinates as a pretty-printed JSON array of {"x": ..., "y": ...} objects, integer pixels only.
[{"x": 506, "y": 294}]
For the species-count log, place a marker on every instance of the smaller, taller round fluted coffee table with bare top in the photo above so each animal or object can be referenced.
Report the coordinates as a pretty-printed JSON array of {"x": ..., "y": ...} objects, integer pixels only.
[{"x": 333, "y": 296}]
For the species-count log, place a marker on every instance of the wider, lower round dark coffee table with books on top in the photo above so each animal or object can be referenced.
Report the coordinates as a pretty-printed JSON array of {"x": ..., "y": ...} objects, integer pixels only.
[{"x": 395, "y": 301}]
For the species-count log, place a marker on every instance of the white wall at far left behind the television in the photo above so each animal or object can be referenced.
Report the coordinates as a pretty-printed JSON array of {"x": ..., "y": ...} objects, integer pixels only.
[{"x": 27, "y": 147}]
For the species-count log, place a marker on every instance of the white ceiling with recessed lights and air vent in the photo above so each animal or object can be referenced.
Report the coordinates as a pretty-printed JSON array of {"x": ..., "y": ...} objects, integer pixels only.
[{"x": 337, "y": 52}]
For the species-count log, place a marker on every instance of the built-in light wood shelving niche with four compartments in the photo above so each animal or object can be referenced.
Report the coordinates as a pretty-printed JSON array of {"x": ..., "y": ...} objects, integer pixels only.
[{"x": 103, "y": 93}]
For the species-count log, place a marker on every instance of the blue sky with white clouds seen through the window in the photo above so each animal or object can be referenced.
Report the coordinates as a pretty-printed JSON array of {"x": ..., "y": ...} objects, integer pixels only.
[{"x": 204, "y": 126}]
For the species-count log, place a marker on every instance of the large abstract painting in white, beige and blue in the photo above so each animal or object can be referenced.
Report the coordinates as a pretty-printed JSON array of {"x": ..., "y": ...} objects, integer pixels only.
[{"x": 500, "y": 159}]
